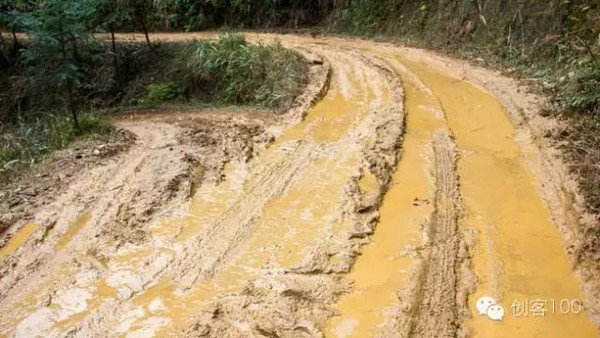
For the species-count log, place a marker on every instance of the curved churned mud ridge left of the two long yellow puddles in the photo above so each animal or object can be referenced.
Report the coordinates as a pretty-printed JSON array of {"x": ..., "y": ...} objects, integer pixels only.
[{"x": 297, "y": 302}]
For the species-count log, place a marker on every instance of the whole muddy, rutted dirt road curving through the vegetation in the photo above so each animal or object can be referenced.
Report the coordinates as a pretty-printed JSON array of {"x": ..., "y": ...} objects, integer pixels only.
[{"x": 400, "y": 188}]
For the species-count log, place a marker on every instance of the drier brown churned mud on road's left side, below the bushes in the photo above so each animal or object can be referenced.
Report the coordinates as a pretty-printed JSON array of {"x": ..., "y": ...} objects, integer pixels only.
[{"x": 107, "y": 208}]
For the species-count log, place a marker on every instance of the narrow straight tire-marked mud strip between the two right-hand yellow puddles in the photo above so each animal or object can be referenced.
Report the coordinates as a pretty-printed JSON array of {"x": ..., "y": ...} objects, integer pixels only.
[{"x": 436, "y": 310}]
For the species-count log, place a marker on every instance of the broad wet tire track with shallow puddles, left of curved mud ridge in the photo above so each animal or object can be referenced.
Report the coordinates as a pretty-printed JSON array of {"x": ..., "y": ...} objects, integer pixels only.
[{"x": 258, "y": 237}]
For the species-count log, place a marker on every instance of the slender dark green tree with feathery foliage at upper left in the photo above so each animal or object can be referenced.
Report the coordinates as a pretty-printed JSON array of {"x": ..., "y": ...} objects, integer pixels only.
[{"x": 60, "y": 43}]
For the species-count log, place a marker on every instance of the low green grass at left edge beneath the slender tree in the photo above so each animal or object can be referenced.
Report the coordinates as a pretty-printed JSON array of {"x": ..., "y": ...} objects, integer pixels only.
[{"x": 24, "y": 144}]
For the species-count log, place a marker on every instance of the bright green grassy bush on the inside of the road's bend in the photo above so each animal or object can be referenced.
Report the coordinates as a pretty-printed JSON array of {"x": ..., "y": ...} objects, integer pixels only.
[{"x": 230, "y": 70}]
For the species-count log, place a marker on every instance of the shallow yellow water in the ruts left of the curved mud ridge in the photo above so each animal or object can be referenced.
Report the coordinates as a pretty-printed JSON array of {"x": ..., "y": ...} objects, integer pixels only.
[{"x": 324, "y": 158}]
